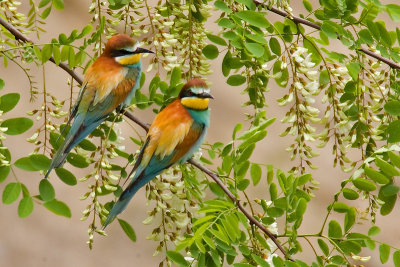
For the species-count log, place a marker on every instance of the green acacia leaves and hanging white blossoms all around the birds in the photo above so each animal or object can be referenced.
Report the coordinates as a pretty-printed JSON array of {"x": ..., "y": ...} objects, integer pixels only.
[{"x": 348, "y": 102}]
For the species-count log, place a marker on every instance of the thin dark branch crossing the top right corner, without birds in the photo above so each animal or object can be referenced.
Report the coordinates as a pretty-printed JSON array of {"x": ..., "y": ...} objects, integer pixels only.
[{"x": 298, "y": 20}]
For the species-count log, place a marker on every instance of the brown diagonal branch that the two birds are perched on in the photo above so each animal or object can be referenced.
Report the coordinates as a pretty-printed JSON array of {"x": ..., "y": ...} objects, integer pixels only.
[{"x": 19, "y": 36}]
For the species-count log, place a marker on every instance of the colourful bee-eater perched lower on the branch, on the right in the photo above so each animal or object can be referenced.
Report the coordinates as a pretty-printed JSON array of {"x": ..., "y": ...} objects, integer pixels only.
[{"x": 175, "y": 134}]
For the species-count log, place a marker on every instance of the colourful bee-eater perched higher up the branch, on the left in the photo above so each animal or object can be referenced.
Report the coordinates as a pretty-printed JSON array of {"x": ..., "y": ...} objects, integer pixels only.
[{"x": 110, "y": 82}]
